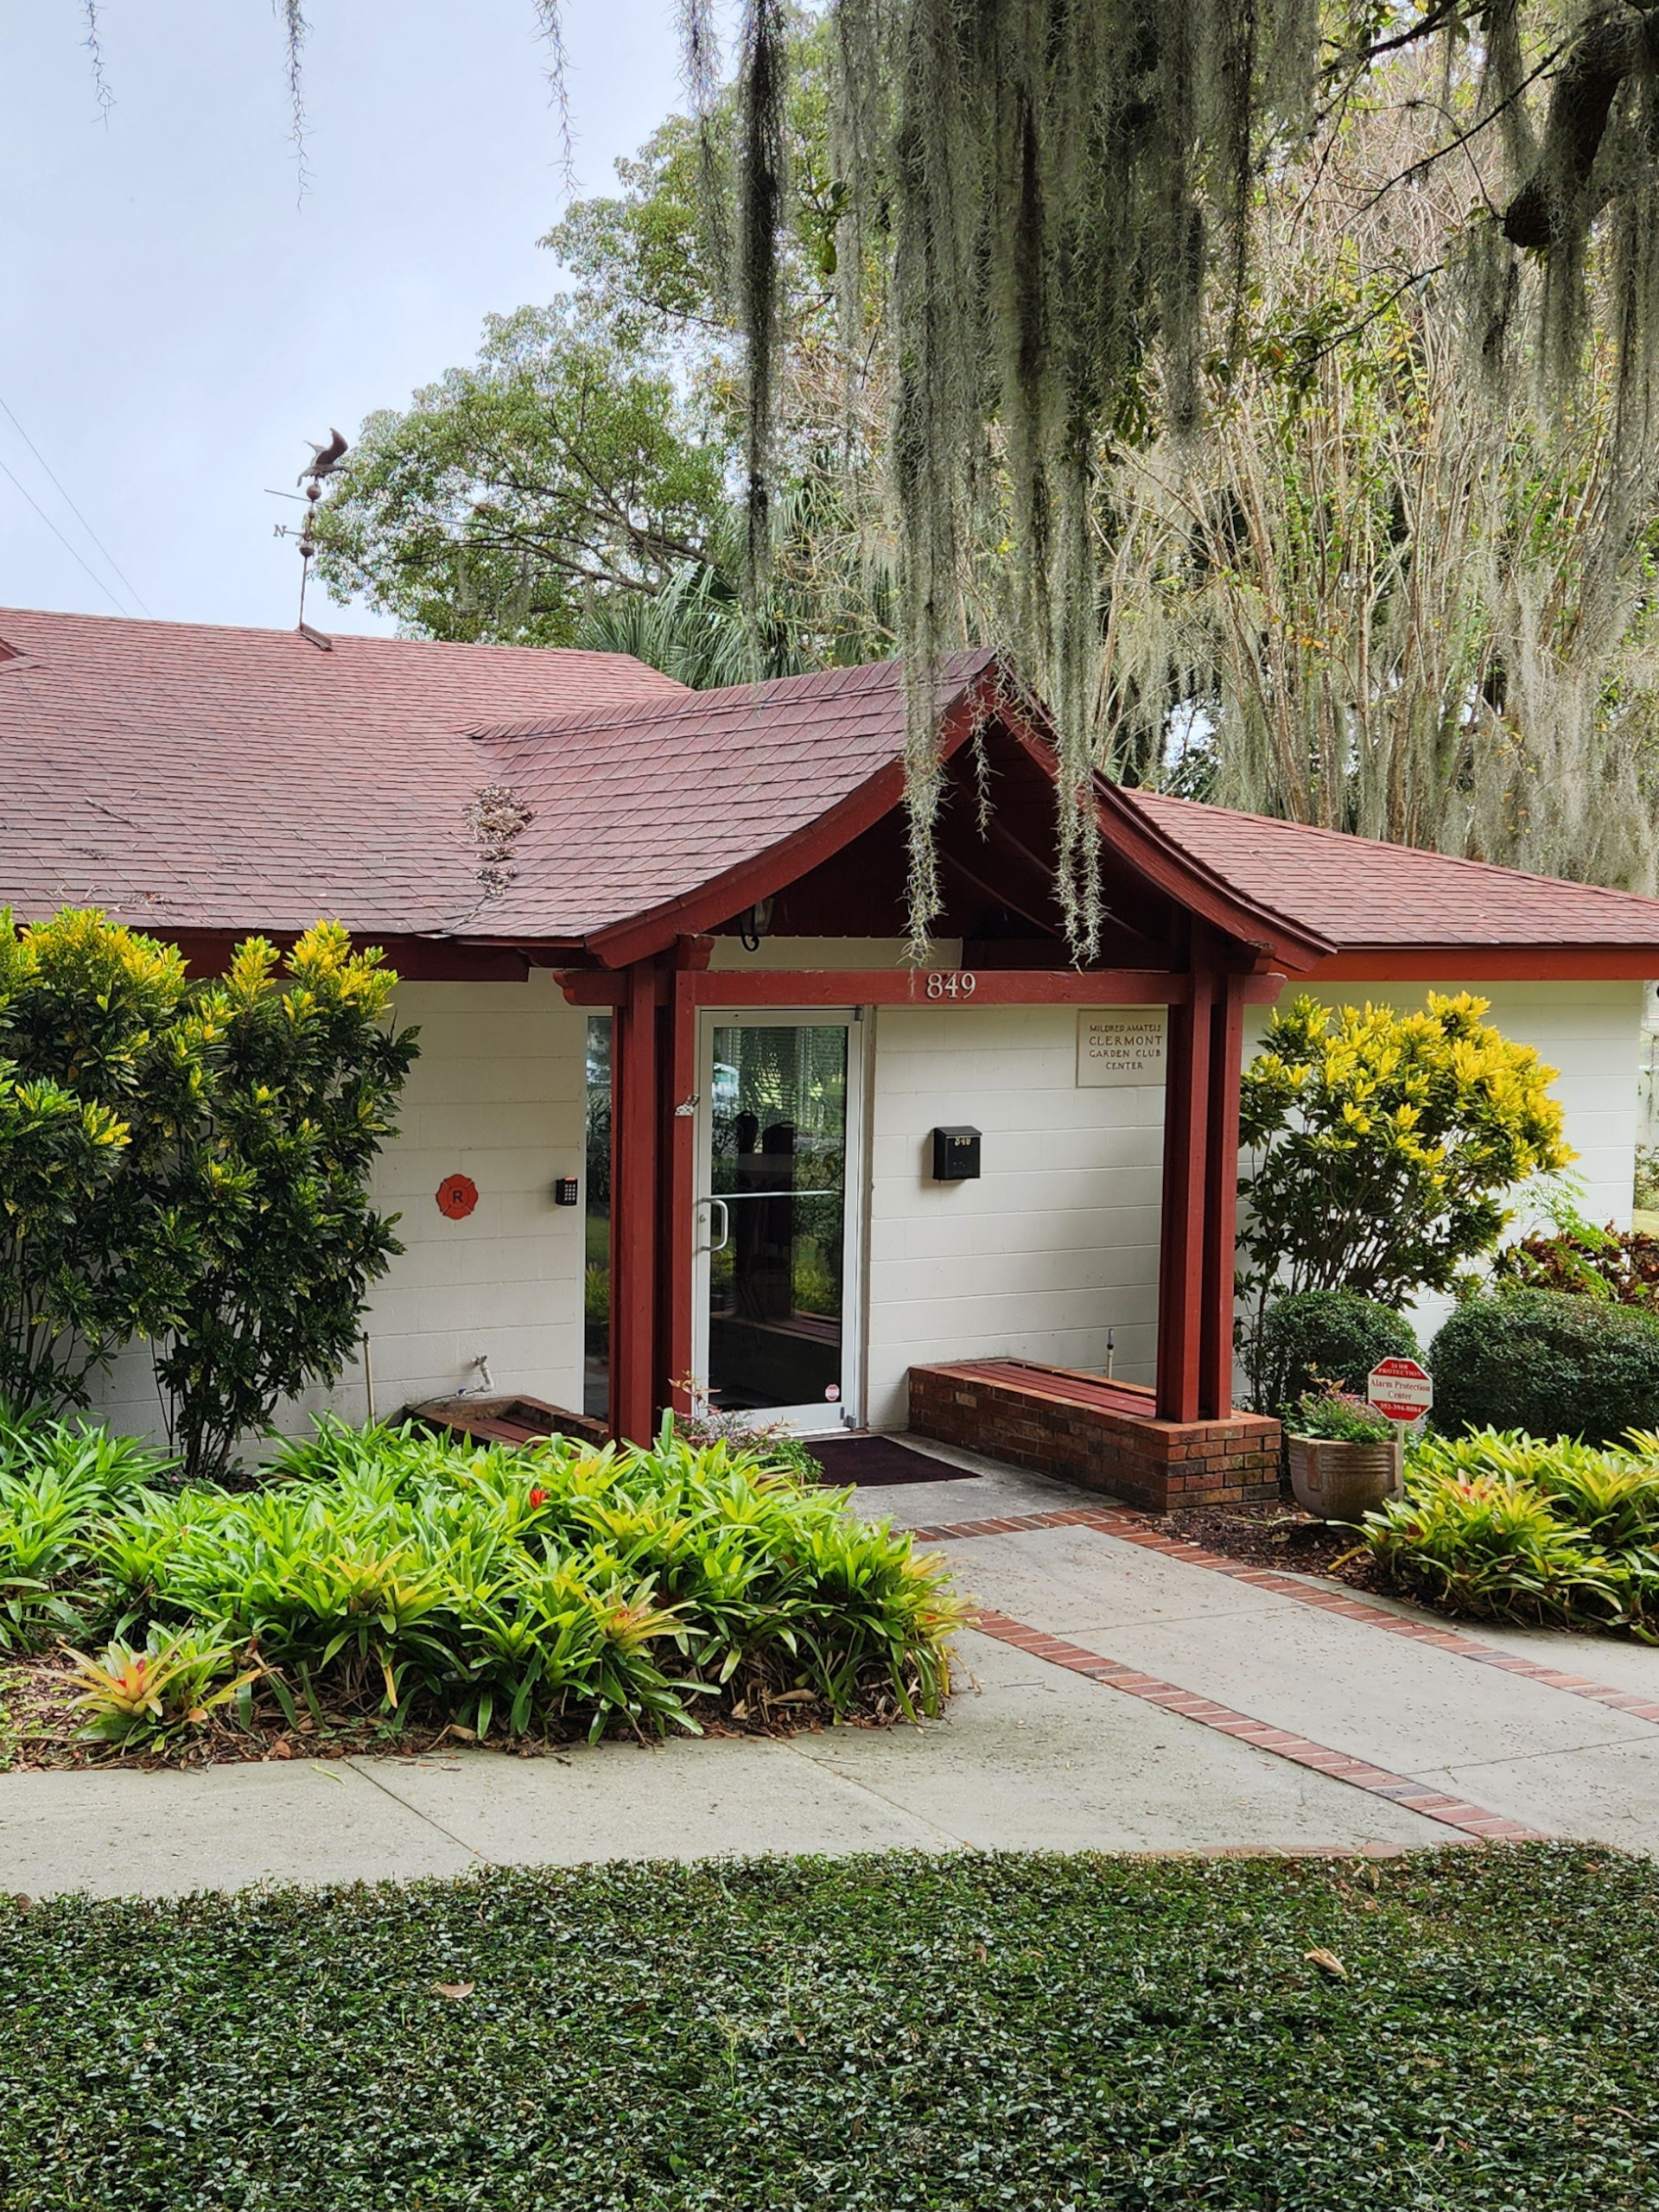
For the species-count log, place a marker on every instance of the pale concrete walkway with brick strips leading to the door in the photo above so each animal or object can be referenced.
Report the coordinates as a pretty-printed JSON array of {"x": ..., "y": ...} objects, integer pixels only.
[{"x": 1030, "y": 1757}]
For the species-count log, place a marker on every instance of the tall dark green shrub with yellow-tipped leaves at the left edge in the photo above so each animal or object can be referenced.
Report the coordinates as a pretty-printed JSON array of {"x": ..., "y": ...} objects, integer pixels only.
[{"x": 189, "y": 1162}]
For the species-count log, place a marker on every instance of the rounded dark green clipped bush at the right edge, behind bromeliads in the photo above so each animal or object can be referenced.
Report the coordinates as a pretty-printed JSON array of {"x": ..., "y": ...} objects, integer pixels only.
[{"x": 1550, "y": 1364}]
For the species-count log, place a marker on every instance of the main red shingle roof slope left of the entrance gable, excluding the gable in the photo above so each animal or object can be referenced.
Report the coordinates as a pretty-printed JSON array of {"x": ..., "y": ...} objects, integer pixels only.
[{"x": 194, "y": 778}]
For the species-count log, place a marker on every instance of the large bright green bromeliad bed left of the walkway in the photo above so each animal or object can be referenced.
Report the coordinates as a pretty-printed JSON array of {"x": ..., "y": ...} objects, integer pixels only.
[{"x": 399, "y": 1580}]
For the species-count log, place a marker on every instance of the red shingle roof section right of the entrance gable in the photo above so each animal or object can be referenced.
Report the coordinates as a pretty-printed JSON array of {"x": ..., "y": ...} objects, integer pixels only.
[{"x": 1364, "y": 895}]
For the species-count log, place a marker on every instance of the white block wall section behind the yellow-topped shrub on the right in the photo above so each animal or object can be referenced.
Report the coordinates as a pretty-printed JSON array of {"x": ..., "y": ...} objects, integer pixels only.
[{"x": 1587, "y": 1032}]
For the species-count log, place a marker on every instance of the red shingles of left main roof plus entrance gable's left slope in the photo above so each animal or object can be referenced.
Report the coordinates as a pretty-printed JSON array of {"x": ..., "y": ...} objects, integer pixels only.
[{"x": 194, "y": 778}]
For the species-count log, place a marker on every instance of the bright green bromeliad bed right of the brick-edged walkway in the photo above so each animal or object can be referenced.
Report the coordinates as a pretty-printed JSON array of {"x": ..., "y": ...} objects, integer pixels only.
[{"x": 1514, "y": 1527}]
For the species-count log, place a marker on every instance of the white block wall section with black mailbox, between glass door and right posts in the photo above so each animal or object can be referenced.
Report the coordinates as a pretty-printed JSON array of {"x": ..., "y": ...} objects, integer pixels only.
[{"x": 1054, "y": 1244}]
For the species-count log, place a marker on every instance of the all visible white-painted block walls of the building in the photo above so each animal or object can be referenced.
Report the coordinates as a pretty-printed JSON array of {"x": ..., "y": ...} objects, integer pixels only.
[{"x": 1041, "y": 1258}]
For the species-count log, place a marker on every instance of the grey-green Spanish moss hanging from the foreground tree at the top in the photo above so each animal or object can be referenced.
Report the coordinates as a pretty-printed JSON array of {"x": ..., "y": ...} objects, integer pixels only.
[{"x": 1072, "y": 205}]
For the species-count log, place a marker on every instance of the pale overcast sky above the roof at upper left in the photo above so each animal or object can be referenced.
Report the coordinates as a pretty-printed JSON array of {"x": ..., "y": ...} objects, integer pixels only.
[{"x": 180, "y": 324}]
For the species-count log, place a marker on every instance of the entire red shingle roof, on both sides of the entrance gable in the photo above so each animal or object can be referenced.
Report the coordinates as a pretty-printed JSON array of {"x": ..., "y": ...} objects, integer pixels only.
[{"x": 207, "y": 780}]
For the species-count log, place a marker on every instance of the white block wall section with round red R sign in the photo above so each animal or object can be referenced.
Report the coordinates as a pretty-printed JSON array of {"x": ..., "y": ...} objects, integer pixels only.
[{"x": 499, "y": 1094}]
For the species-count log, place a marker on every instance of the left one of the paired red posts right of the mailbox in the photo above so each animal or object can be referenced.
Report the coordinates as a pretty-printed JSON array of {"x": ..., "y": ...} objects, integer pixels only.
[{"x": 1180, "y": 1264}]
